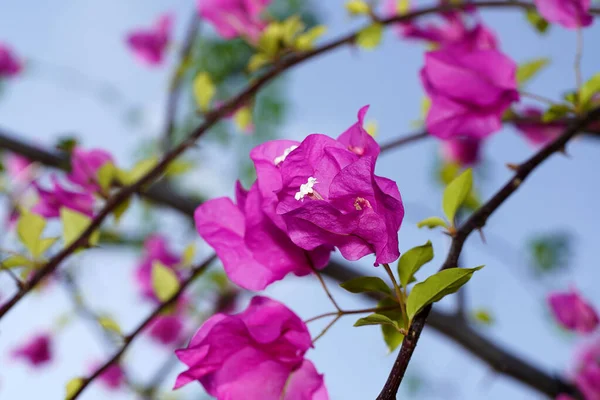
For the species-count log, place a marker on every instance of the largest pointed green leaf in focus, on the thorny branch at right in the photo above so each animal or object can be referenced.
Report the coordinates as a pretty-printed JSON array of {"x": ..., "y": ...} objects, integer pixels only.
[{"x": 436, "y": 287}]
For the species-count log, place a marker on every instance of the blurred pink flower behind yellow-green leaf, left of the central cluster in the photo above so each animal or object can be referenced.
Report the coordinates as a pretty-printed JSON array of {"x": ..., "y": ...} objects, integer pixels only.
[{"x": 155, "y": 249}]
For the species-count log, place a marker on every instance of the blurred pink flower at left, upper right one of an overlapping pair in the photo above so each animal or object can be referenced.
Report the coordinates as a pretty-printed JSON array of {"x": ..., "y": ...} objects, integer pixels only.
[{"x": 85, "y": 166}]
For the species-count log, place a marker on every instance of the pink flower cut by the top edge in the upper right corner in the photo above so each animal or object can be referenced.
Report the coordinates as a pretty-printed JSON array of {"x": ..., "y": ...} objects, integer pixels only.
[{"x": 571, "y": 14}]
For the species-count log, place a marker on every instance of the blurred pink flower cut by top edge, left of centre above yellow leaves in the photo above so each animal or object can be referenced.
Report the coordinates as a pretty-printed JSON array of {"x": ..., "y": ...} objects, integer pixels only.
[{"x": 234, "y": 18}]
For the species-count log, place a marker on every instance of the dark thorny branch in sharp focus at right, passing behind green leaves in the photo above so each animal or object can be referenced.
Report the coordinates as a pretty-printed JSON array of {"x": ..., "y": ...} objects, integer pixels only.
[{"x": 476, "y": 221}]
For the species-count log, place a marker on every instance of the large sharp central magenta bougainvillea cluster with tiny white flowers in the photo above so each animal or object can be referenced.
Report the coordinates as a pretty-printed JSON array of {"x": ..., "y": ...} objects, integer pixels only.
[{"x": 309, "y": 197}]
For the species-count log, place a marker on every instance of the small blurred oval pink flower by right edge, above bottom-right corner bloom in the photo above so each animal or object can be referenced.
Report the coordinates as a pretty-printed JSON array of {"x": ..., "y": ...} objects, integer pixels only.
[{"x": 573, "y": 312}]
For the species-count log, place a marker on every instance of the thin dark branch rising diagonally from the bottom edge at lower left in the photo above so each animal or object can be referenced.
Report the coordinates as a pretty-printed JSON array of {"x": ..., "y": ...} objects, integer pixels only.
[{"x": 127, "y": 340}]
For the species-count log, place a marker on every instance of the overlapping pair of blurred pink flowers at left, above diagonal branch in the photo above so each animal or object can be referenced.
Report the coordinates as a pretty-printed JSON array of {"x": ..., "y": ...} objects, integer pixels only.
[{"x": 83, "y": 178}]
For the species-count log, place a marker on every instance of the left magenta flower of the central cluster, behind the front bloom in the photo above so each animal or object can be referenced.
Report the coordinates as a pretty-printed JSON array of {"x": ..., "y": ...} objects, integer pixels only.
[{"x": 255, "y": 252}]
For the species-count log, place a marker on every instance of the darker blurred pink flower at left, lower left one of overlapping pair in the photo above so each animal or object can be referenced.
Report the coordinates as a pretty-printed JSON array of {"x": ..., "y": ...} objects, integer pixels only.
[{"x": 51, "y": 201}]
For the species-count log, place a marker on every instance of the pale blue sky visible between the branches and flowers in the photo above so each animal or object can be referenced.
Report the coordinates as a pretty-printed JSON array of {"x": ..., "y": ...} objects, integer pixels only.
[{"x": 325, "y": 94}]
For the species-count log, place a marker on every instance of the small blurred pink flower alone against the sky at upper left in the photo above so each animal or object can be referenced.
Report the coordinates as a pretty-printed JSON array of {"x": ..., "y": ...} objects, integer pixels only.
[{"x": 149, "y": 45}]
